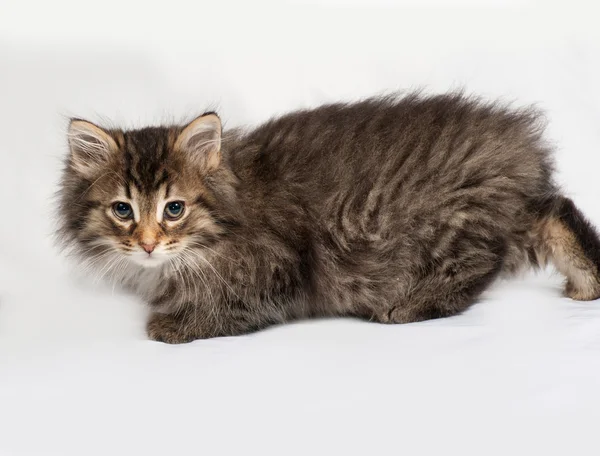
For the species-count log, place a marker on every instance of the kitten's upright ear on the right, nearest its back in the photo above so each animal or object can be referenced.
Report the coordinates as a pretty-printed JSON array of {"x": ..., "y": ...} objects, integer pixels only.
[{"x": 201, "y": 141}]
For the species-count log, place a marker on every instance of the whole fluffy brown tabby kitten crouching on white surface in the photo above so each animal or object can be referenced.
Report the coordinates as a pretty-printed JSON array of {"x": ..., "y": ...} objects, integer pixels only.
[{"x": 391, "y": 209}]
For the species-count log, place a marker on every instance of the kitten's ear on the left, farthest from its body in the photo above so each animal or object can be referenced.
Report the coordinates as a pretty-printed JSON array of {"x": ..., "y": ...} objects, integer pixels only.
[{"x": 91, "y": 147}]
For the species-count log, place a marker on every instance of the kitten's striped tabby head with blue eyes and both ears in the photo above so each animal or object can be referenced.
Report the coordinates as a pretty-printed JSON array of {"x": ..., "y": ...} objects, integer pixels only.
[{"x": 146, "y": 195}]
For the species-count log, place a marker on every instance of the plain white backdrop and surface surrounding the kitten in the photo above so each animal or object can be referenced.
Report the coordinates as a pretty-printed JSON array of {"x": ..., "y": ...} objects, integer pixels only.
[{"x": 518, "y": 372}]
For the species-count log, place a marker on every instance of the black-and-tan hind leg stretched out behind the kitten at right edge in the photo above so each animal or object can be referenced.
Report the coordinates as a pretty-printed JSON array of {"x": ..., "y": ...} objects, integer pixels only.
[{"x": 567, "y": 239}]
